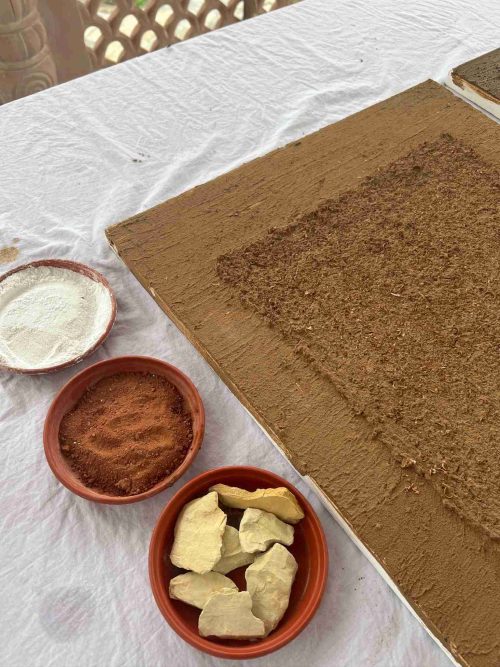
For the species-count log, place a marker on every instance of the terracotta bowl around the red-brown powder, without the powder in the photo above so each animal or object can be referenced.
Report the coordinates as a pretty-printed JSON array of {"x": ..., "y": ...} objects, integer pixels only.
[{"x": 71, "y": 393}]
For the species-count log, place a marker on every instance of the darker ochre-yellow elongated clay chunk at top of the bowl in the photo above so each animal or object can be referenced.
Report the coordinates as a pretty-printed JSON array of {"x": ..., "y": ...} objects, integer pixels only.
[{"x": 280, "y": 501}]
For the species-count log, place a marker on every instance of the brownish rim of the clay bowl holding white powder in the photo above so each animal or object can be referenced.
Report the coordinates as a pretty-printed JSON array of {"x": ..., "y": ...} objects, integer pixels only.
[{"x": 84, "y": 270}]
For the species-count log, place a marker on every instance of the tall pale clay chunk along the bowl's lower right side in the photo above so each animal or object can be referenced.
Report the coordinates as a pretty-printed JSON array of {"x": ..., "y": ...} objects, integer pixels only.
[{"x": 269, "y": 582}]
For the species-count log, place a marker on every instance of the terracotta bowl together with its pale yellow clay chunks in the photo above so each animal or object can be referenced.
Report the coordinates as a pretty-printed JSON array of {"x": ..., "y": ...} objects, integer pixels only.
[{"x": 238, "y": 562}]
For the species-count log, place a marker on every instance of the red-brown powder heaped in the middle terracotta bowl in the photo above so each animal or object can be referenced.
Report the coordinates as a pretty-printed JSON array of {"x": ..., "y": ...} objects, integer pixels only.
[{"x": 126, "y": 433}]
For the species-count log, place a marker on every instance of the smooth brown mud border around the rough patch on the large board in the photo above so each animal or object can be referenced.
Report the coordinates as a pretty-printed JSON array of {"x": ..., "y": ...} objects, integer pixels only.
[{"x": 446, "y": 571}]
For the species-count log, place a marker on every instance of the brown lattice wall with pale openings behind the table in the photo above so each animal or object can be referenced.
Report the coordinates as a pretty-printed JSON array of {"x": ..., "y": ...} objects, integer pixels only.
[{"x": 117, "y": 30}]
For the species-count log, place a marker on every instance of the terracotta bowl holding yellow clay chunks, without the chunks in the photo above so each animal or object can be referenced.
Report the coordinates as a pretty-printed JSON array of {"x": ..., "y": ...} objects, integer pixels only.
[{"x": 309, "y": 548}]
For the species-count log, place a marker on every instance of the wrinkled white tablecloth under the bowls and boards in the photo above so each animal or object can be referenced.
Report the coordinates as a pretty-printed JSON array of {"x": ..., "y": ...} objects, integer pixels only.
[{"x": 73, "y": 160}]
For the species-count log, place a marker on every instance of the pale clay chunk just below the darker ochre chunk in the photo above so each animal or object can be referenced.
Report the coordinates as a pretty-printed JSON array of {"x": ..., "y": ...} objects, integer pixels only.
[{"x": 259, "y": 529}]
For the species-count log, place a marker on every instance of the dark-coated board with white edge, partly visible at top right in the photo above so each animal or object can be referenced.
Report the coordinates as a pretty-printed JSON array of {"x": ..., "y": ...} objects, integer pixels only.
[{"x": 479, "y": 81}]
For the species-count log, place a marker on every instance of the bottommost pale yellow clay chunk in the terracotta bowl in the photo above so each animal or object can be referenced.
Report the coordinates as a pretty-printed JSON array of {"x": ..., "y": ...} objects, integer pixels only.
[{"x": 228, "y": 615}]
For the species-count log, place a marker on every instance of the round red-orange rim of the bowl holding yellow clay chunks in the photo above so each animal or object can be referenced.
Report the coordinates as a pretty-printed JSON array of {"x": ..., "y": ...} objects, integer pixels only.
[{"x": 279, "y": 637}]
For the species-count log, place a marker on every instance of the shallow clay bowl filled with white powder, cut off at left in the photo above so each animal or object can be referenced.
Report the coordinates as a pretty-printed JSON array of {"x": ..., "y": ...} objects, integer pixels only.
[{"x": 53, "y": 314}]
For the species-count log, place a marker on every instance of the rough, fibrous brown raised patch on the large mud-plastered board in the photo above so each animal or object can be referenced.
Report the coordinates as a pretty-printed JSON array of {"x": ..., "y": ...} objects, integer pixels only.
[{"x": 392, "y": 291}]
